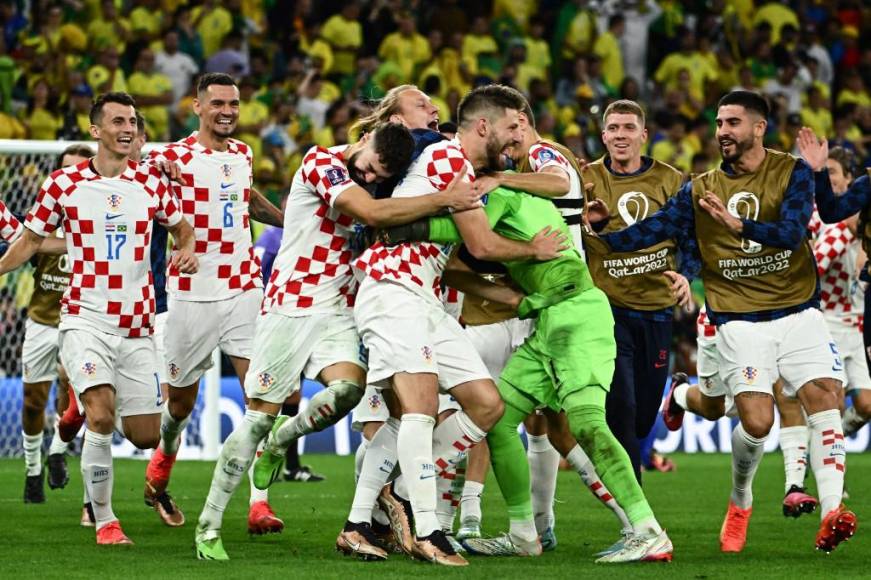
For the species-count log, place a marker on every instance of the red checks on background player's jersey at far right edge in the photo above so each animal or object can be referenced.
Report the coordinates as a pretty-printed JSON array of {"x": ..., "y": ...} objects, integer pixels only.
[{"x": 831, "y": 252}]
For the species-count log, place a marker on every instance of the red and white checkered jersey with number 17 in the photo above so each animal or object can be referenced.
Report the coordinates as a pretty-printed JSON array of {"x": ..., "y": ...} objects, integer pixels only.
[{"x": 107, "y": 224}]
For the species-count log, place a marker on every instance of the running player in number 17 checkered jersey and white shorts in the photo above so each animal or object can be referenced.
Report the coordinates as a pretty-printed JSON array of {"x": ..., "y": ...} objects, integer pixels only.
[{"x": 107, "y": 205}]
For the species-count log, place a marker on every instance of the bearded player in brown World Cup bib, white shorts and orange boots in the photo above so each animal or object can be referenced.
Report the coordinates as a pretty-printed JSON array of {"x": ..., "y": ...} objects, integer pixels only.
[{"x": 760, "y": 286}]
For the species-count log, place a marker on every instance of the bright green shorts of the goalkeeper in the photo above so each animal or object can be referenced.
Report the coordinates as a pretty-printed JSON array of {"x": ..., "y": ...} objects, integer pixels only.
[{"x": 573, "y": 347}]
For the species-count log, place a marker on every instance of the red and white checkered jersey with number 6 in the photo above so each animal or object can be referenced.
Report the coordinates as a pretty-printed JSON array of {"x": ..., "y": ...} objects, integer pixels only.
[{"x": 215, "y": 202}]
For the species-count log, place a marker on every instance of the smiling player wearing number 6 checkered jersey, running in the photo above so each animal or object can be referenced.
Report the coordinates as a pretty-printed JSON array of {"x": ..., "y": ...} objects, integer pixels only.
[{"x": 217, "y": 306}]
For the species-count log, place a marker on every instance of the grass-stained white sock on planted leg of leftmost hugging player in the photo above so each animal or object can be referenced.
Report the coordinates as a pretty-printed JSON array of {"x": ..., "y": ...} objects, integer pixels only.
[{"x": 236, "y": 456}]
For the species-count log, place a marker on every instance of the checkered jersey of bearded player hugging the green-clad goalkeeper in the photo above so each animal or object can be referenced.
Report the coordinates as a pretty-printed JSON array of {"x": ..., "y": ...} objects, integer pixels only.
[{"x": 418, "y": 266}]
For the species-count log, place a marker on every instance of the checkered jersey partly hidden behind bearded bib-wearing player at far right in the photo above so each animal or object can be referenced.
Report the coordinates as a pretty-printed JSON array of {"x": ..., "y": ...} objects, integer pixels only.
[{"x": 836, "y": 250}]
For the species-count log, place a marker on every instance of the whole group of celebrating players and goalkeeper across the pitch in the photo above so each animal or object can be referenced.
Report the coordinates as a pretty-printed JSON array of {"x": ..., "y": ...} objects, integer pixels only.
[{"x": 445, "y": 300}]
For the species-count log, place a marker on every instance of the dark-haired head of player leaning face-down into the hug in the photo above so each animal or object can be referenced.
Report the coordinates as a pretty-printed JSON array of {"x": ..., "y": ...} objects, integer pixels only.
[{"x": 381, "y": 154}]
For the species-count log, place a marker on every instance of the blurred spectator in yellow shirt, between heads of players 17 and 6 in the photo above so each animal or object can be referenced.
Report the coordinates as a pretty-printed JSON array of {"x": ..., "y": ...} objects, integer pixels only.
[{"x": 153, "y": 93}]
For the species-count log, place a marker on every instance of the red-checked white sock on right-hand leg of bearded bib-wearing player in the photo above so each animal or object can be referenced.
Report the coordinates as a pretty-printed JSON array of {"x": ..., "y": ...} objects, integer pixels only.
[{"x": 828, "y": 458}]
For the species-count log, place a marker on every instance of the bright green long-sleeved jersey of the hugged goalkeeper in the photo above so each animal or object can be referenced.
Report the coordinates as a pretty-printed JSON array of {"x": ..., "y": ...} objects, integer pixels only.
[{"x": 520, "y": 216}]
